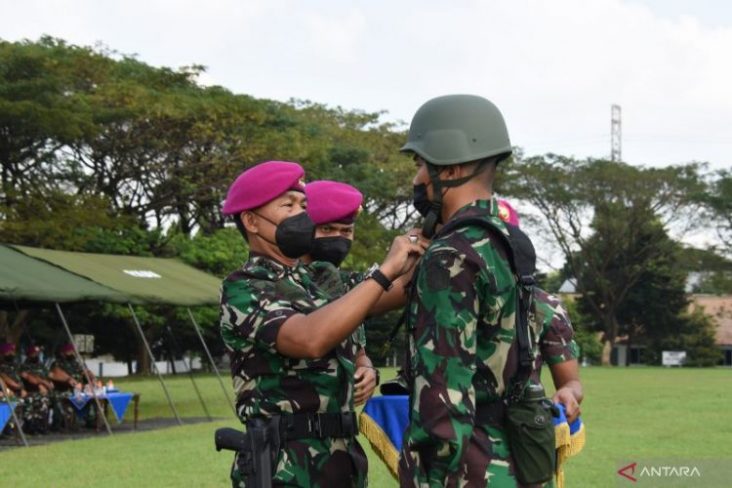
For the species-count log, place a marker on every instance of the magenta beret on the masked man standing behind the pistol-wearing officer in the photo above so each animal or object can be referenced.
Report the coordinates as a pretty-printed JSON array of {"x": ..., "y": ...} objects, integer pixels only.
[{"x": 332, "y": 201}]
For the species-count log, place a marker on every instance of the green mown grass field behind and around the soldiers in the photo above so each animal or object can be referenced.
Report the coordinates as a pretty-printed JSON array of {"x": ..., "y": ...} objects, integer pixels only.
[{"x": 629, "y": 413}]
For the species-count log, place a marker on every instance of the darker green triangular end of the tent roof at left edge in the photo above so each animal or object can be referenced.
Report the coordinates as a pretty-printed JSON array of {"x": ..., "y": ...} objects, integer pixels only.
[{"x": 24, "y": 279}]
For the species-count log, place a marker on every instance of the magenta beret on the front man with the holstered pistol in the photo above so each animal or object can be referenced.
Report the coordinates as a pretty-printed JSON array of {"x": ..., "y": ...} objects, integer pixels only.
[{"x": 261, "y": 184}]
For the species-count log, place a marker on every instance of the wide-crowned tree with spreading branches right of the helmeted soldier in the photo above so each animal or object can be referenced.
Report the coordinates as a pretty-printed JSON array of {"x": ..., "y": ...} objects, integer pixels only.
[{"x": 595, "y": 211}]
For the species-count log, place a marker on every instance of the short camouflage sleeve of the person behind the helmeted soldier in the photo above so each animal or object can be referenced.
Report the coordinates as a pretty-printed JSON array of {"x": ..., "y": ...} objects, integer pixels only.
[{"x": 556, "y": 341}]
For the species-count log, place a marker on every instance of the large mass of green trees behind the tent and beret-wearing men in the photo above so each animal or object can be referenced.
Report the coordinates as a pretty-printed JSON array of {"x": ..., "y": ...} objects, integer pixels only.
[{"x": 103, "y": 153}]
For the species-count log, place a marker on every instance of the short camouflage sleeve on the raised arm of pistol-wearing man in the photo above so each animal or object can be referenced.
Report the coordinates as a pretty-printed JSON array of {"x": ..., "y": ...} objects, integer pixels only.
[{"x": 251, "y": 314}]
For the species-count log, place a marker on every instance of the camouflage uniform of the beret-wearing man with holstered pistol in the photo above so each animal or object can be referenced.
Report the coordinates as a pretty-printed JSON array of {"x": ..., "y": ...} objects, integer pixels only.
[{"x": 255, "y": 301}]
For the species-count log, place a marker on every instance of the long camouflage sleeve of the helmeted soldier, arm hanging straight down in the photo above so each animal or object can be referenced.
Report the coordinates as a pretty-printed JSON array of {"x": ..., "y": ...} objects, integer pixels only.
[{"x": 444, "y": 362}]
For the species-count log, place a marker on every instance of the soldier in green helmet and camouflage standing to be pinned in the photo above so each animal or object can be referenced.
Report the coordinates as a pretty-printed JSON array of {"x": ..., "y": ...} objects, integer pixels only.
[{"x": 461, "y": 314}]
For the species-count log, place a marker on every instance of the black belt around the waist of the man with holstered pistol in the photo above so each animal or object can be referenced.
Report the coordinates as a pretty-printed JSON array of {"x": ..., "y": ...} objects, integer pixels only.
[{"x": 319, "y": 425}]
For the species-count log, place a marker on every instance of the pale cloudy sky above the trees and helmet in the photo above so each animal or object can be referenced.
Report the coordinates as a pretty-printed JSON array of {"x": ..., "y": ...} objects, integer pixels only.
[{"x": 554, "y": 68}]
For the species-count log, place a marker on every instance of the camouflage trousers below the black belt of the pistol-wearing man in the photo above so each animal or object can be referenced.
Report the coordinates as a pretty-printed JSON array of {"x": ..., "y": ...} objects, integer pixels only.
[{"x": 316, "y": 463}]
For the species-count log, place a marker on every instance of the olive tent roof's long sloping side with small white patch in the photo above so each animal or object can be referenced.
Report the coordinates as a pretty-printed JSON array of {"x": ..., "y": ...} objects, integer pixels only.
[{"x": 141, "y": 279}]
